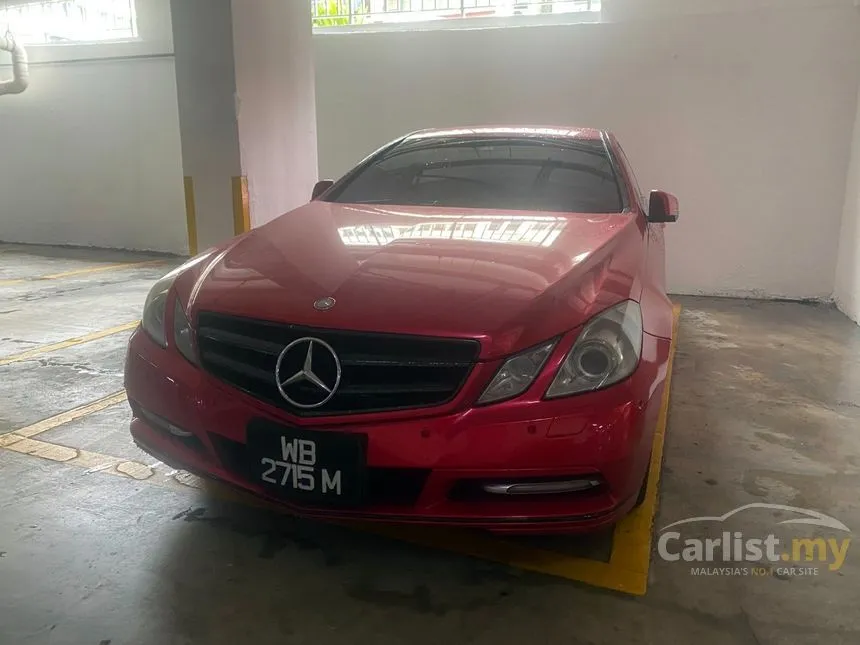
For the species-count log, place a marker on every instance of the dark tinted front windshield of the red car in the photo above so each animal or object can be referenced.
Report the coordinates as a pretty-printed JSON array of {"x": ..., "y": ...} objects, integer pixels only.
[{"x": 503, "y": 172}]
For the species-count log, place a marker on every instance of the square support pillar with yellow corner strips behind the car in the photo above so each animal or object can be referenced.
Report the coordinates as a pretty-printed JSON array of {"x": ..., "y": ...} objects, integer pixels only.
[{"x": 247, "y": 112}]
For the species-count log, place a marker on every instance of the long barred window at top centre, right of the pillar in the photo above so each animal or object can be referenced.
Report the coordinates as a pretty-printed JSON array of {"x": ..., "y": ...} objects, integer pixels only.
[{"x": 344, "y": 13}]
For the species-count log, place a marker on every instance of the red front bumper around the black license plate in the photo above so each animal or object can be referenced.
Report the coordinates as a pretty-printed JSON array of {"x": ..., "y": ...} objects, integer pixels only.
[{"x": 427, "y": 464}]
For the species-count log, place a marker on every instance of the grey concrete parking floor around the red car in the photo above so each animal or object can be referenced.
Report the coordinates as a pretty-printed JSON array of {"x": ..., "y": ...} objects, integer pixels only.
[{"x": 765, "y": 408}]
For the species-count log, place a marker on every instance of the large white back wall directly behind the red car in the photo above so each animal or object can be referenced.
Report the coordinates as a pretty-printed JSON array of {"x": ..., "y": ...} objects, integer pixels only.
[{"x": 746, "y": 115}]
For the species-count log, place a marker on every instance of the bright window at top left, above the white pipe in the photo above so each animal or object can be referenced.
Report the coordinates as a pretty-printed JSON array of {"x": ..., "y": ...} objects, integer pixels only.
[{"x": 52, "y": 22}]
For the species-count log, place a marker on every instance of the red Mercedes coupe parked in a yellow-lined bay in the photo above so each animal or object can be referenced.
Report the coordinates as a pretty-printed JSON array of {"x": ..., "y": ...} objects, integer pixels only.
[{"x": 469, "y": 328}]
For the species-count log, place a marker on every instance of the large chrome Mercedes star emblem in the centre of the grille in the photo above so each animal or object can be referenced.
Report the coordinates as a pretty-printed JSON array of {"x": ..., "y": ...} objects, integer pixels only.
[{"x": 306, "y": 378}]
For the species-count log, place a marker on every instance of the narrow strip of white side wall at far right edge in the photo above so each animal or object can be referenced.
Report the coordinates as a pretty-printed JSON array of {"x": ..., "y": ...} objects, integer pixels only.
[{"x": 847, "y": 292}]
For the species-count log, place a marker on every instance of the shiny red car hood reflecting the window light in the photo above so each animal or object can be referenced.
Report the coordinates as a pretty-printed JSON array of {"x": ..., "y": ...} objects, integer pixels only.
[{"x": 510, "y": 279}]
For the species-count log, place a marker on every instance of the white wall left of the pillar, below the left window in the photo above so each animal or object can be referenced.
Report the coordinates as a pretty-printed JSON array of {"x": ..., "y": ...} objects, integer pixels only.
[{"x": 92, "y": 153}]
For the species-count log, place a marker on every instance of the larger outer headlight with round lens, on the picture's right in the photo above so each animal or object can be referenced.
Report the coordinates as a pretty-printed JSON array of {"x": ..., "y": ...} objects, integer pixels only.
[{"x": 607, "y": 351}]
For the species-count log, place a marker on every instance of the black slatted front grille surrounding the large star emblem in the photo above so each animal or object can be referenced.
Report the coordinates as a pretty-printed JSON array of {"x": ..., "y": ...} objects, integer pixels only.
[{"x": 379, "y": 371}]
